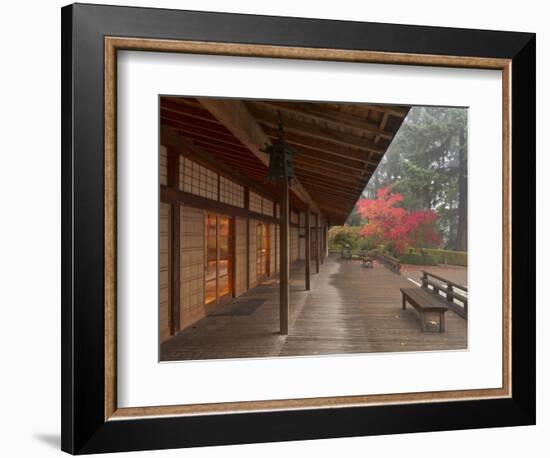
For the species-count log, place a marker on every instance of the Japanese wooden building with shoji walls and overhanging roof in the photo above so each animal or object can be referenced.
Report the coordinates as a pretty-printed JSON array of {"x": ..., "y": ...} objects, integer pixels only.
[{"x": 214, "y": 176}]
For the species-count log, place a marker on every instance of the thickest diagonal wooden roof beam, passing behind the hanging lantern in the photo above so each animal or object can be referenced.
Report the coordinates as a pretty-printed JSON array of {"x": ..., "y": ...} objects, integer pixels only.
[{"x": 234, "y": 115}]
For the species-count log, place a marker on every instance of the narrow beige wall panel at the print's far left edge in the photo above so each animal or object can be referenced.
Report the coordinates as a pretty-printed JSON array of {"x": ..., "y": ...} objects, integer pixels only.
[{"x": 164, "y": 272}]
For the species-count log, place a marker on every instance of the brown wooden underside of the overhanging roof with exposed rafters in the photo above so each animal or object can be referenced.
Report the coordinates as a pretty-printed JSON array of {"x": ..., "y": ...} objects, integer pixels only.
[{"x": 338, "y": 145}]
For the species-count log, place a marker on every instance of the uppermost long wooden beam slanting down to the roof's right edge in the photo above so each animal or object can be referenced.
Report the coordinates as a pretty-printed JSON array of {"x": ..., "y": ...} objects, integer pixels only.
[{"x": 328, "y": 116}]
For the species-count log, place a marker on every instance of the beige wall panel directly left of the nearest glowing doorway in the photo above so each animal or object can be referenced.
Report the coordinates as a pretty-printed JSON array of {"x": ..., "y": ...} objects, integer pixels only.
[{"x": 191, "y": 266}]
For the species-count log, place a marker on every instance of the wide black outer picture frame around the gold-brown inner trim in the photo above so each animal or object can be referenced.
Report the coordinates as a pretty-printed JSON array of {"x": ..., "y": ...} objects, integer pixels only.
[{"x": 84, "y": 429}]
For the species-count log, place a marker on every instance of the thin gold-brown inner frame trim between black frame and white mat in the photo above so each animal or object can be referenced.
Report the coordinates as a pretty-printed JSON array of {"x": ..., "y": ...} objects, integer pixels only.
[{"x": 112, "y": 45}]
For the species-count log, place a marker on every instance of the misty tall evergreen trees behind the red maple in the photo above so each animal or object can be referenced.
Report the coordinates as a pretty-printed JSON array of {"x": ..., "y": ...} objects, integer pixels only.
[{"x": 427, "y": 164}]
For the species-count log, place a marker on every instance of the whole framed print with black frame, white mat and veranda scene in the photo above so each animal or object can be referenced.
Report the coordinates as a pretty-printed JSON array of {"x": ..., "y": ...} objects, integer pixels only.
[{"x": 280, "y": 228}]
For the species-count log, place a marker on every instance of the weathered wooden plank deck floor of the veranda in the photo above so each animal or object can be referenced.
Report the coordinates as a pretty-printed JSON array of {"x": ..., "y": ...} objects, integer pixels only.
[{"x": 349, "y": 309}]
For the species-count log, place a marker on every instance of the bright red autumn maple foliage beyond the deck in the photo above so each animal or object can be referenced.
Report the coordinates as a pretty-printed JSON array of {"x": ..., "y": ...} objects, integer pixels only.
[{"x": 395, "y": 226}]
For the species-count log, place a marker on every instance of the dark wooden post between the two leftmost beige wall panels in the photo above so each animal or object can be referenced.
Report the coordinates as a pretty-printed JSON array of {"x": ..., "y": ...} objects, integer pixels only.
[{"x": 173, "y": 182}]
